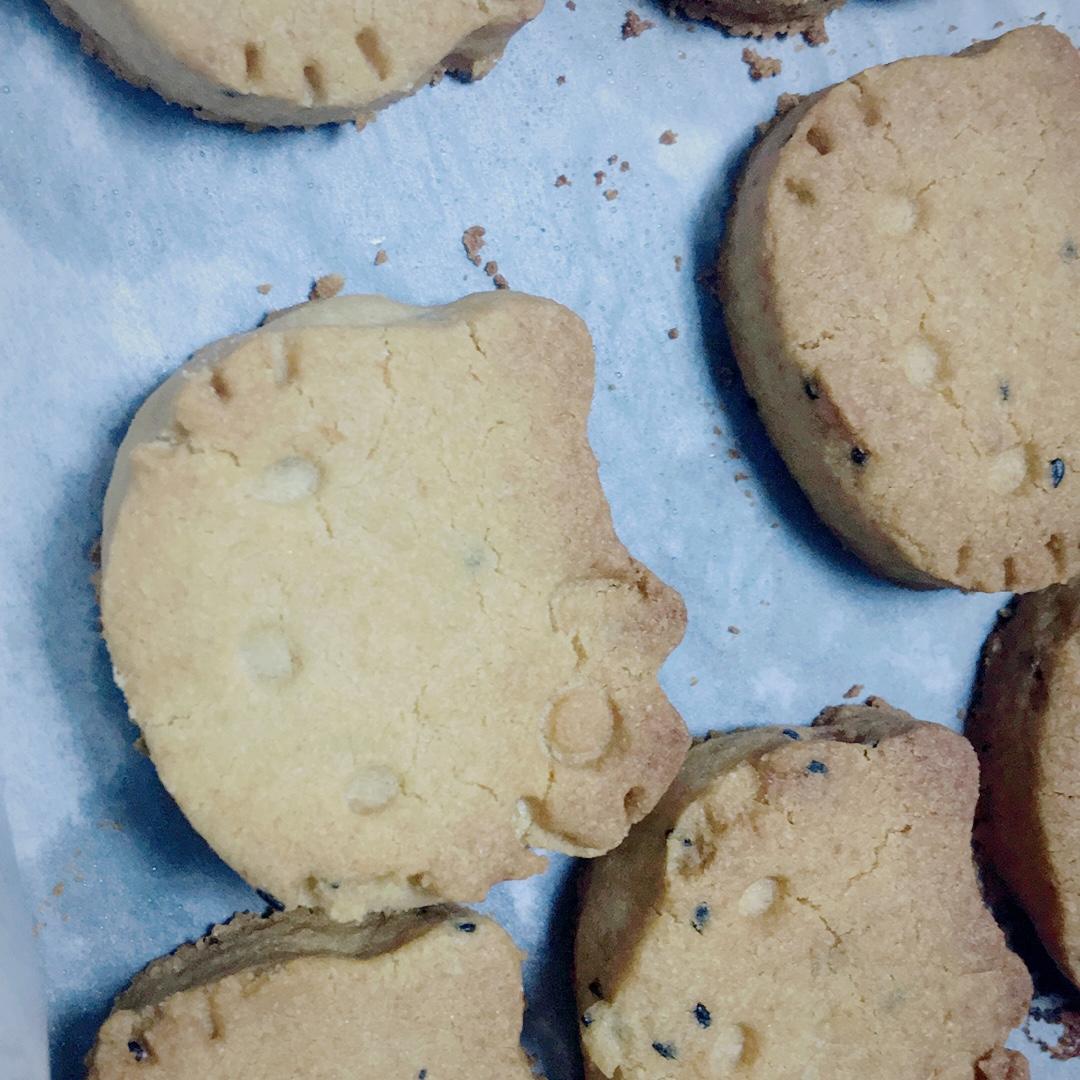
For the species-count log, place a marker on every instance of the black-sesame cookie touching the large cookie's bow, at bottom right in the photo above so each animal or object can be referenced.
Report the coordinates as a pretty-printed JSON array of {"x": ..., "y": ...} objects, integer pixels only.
[{"x": 803, "y": 904}]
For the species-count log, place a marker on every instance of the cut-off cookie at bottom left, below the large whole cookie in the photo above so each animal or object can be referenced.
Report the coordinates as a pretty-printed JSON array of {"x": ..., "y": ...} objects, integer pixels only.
[{"x": 434, "y": 994}]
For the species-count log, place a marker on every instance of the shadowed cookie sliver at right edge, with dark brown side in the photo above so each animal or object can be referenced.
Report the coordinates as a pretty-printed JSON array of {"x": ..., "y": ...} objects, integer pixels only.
[{"x": 1025, "y": 725}]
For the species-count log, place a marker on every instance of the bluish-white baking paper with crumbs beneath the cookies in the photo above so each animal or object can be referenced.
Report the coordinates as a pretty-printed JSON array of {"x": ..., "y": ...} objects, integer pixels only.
[{"x": 132, "y": 234}]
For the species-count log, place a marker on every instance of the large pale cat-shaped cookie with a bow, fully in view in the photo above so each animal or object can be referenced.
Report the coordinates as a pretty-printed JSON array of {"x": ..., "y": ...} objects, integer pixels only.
[{"x": 362, "y": 591}]
